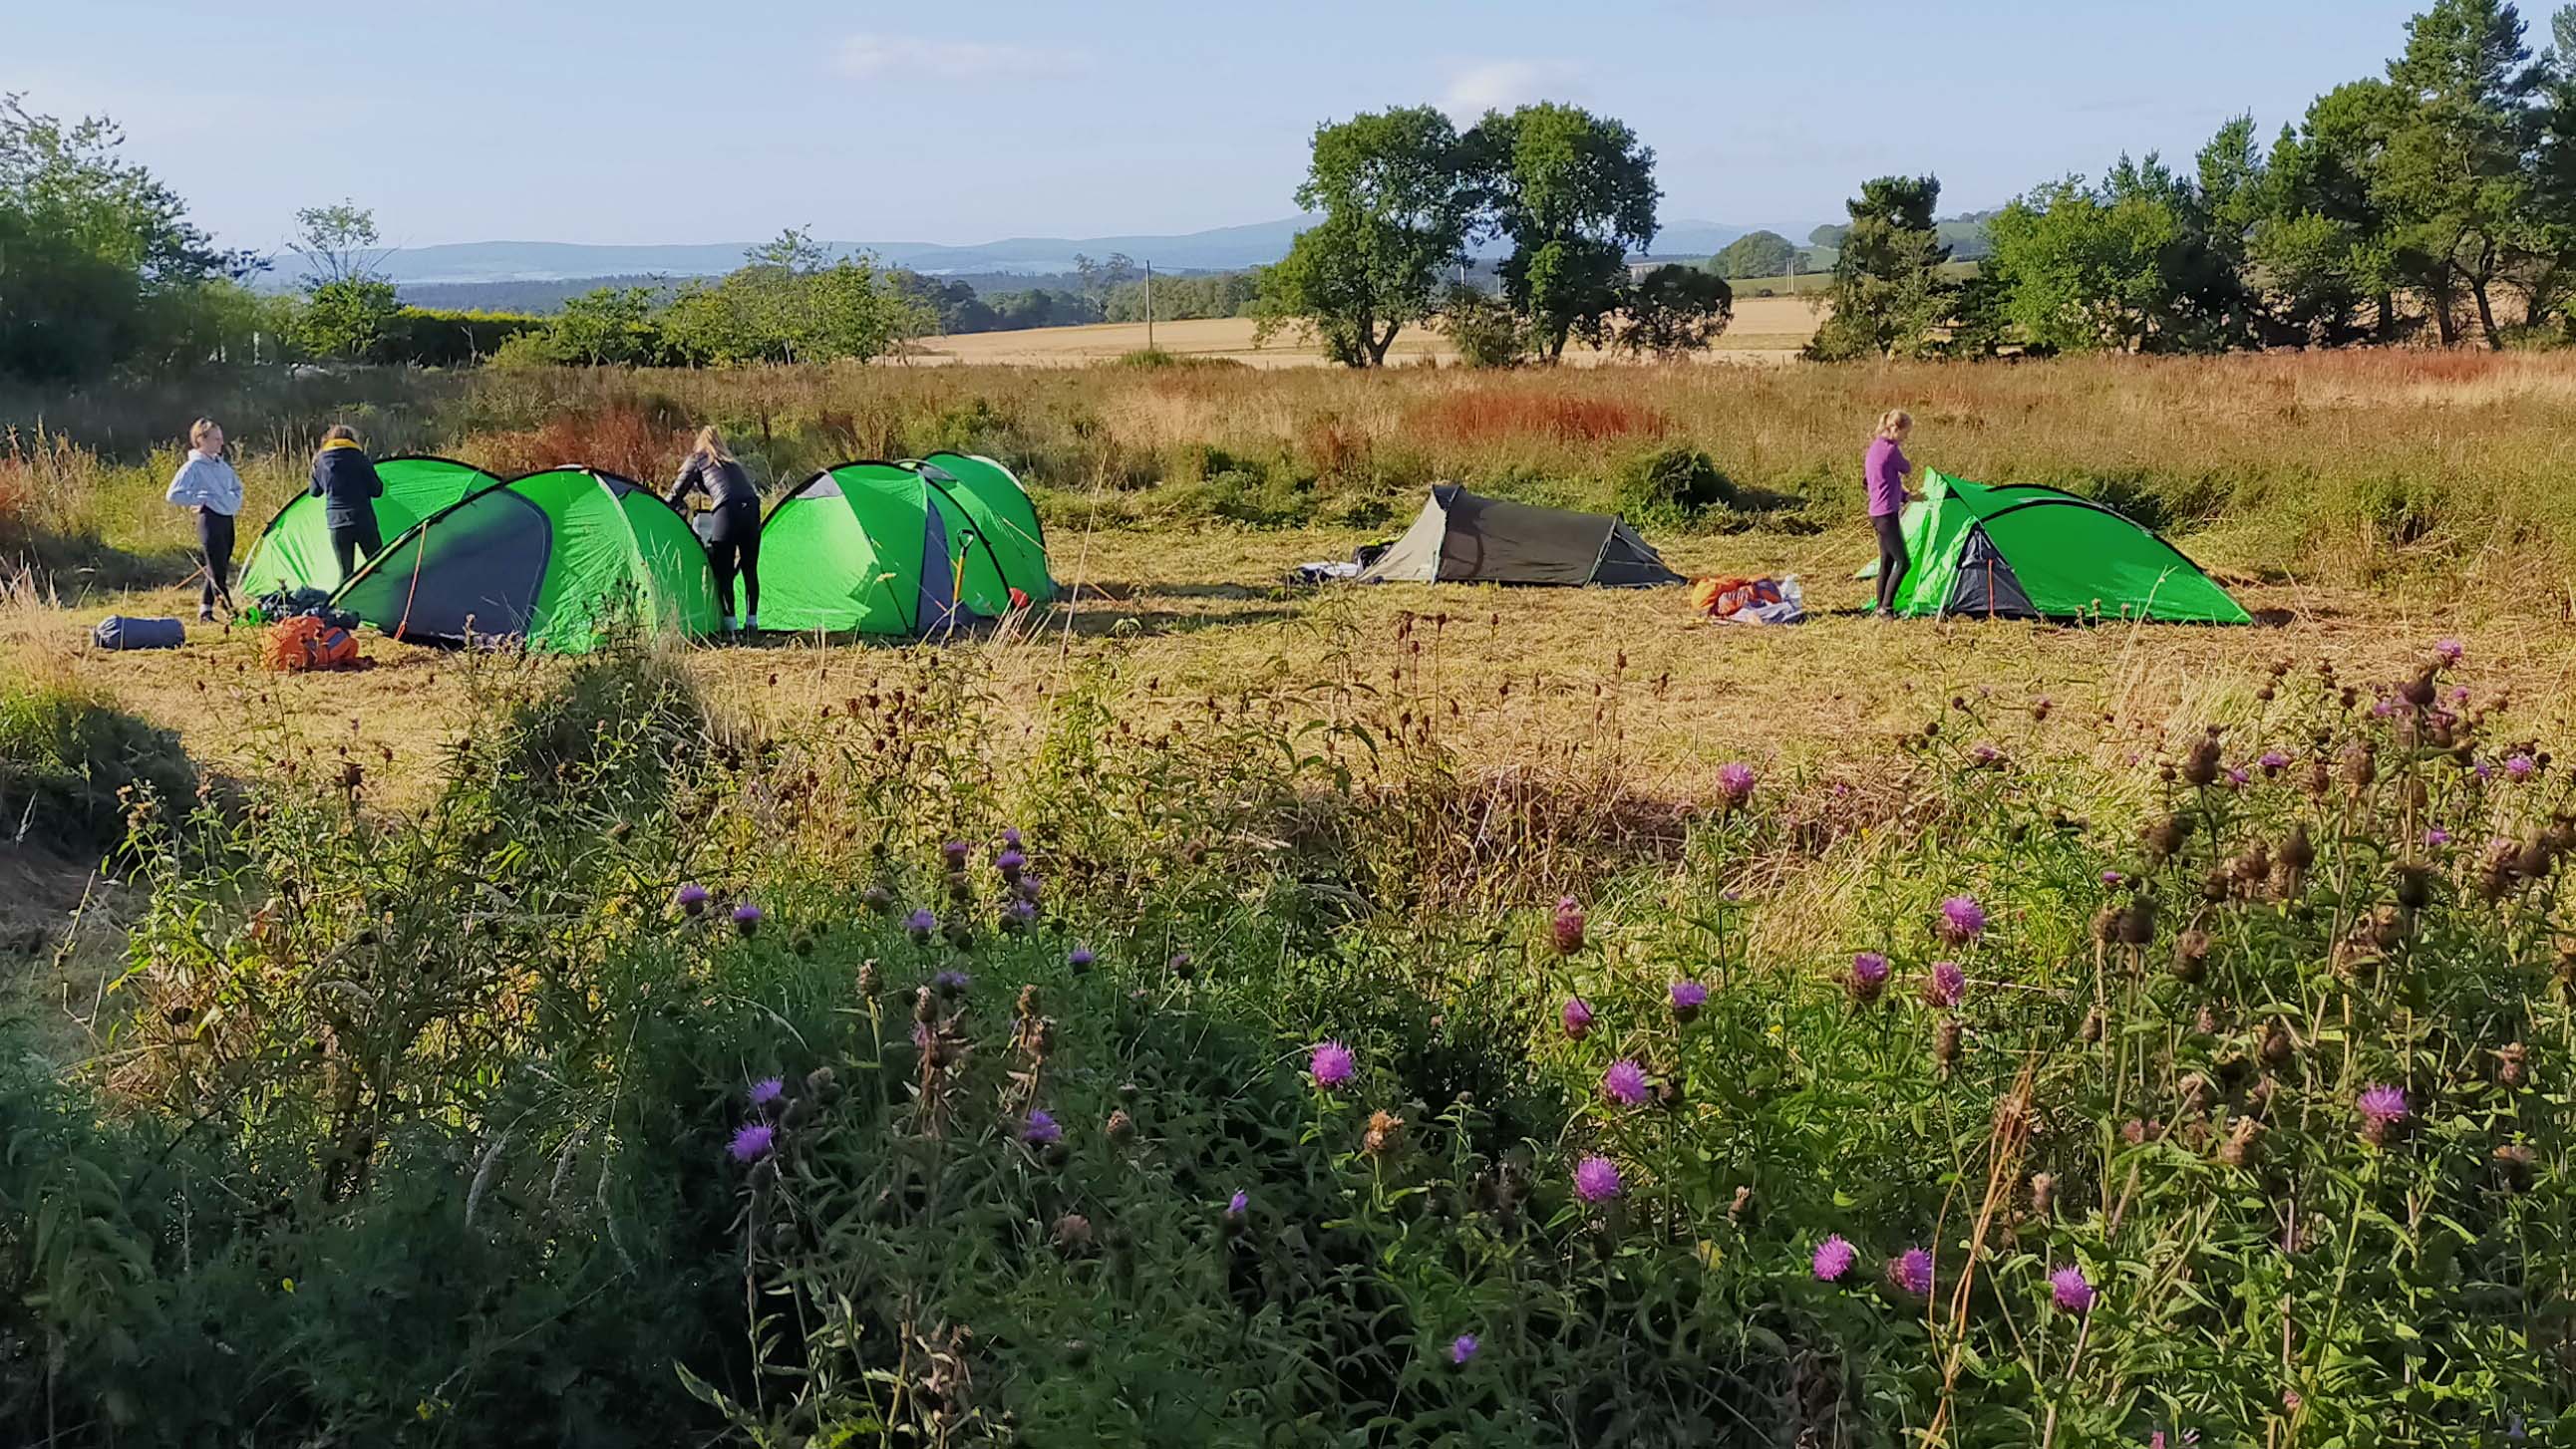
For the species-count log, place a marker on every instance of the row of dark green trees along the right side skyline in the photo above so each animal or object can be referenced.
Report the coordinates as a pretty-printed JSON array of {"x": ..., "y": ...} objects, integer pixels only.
[{"x": 2438, "y": 197}]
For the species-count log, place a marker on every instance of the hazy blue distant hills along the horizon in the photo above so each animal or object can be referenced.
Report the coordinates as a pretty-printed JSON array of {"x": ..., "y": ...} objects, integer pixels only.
[{"x": 1225, "y": 248}]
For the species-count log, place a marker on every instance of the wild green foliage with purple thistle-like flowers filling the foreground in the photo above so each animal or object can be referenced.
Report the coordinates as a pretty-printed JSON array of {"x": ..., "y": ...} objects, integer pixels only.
[{"x": 455, "y": 1126}]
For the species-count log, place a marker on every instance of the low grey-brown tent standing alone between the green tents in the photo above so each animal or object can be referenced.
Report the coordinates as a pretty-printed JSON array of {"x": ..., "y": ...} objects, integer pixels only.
[{"x": 1467, "y": 539}]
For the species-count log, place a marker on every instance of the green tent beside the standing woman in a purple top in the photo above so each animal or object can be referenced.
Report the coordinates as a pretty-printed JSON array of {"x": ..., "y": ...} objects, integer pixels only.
[{"x": 2034, "y": 552}]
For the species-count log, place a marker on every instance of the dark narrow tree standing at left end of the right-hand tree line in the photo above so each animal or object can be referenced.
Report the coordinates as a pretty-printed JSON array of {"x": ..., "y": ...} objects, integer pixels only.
[{"x": 1887, "y": 297}]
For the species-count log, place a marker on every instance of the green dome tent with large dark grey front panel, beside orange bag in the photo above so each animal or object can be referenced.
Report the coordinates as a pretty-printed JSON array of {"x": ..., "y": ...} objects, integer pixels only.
[{"x": 560, "y": 560}]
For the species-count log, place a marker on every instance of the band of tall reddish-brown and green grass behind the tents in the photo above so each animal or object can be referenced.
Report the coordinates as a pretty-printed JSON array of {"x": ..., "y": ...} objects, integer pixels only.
[{"x": 2340, "y": 467}]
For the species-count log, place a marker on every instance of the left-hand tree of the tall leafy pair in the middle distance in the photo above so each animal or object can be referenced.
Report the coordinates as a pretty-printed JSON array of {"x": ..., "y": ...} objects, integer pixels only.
[{"x": 1397, "y": 207}]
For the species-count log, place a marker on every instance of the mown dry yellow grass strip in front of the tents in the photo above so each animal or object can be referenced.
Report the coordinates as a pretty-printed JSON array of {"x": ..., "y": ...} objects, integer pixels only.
[{"x": 1501, "y": 670}]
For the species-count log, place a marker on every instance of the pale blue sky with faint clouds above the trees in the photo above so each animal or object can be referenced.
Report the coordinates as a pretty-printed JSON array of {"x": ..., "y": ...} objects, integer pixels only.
[{"x": 712, "y": 122}]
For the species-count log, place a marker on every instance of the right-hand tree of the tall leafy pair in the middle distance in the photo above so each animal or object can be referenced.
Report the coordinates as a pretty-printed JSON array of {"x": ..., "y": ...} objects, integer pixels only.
[{"x": 1575, "y": 194}]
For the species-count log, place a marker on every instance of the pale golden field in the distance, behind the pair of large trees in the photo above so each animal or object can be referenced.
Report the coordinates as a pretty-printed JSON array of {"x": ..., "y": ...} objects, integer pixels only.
[{"x": 1766, "y": 331}]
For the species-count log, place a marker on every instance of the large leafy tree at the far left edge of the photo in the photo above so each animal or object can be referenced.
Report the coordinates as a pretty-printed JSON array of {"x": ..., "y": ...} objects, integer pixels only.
[{"x": 99, "y": 264}]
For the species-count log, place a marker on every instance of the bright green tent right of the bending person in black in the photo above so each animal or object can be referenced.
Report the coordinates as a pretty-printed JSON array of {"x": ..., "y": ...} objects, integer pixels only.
[{"x": 900, "y": 549}]
